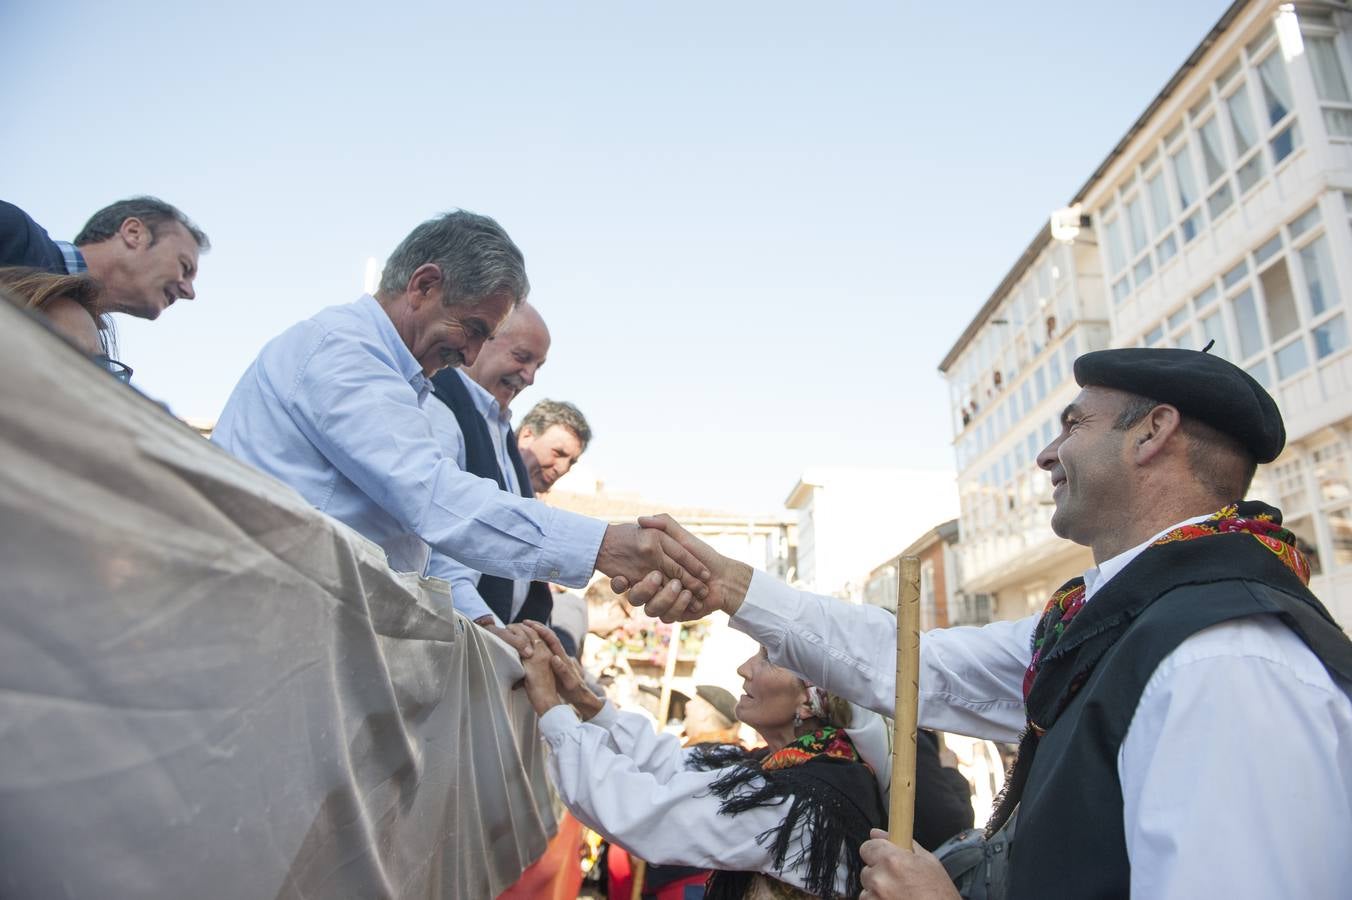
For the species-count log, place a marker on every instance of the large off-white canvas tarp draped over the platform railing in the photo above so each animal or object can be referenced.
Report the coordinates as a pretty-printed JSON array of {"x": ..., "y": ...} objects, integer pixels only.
[{"x": 210, "y": 690}]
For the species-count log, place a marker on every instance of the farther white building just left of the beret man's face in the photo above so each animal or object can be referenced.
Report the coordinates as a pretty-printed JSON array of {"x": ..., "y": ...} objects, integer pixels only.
[{"x": 1009, "y": 379}]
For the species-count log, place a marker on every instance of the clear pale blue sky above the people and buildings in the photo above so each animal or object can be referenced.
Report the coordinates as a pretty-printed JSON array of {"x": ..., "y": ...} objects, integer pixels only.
[{"x": 755, "y": 229}]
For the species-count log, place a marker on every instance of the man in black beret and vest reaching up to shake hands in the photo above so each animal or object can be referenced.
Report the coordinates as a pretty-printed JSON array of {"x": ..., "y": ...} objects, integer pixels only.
[{"x": 1184, "y": 710}]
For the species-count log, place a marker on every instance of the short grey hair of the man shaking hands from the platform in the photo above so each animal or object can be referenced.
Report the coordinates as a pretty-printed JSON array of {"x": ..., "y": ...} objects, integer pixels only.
[{"x": 477, "y": 259}]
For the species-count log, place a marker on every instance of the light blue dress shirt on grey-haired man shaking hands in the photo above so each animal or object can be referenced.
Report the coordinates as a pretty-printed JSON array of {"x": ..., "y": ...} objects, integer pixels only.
[{"x": 335, "y": 409}]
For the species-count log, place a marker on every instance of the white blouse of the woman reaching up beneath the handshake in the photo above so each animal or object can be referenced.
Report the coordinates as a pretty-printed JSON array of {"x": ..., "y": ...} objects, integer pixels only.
[{"x": 631, "y": 784}]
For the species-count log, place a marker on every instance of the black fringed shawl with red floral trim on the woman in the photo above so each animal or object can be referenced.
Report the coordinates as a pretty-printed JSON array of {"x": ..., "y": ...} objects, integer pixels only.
[{"x": 832, "y": 802}]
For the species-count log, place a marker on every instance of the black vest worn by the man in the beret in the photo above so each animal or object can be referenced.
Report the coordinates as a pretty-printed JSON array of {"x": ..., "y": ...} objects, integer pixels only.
[{"x": 1071, "y": 841}]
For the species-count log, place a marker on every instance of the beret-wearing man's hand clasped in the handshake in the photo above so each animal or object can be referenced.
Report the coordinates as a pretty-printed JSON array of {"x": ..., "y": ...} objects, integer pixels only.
[{"x": 666, "y": 599}]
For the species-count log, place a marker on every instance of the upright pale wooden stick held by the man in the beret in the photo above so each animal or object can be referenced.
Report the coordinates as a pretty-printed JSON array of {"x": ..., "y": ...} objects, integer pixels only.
[{"x": 901, "y": 817}]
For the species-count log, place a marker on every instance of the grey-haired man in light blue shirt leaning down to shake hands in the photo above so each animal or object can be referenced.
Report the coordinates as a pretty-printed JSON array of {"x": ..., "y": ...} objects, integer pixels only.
[{"x": 336, "y": 409}]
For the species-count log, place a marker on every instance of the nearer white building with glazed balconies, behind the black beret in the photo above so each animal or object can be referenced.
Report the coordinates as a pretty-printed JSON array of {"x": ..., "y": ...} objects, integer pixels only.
[{"x": 1226, "y": 217}]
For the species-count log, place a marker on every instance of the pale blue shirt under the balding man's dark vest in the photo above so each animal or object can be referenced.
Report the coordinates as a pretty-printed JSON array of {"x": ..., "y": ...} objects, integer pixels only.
[{"x": 464, "y": 582}]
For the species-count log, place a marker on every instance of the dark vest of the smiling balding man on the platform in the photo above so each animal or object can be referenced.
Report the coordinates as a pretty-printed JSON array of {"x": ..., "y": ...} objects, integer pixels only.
[{"x": 482, "y": 461}]
